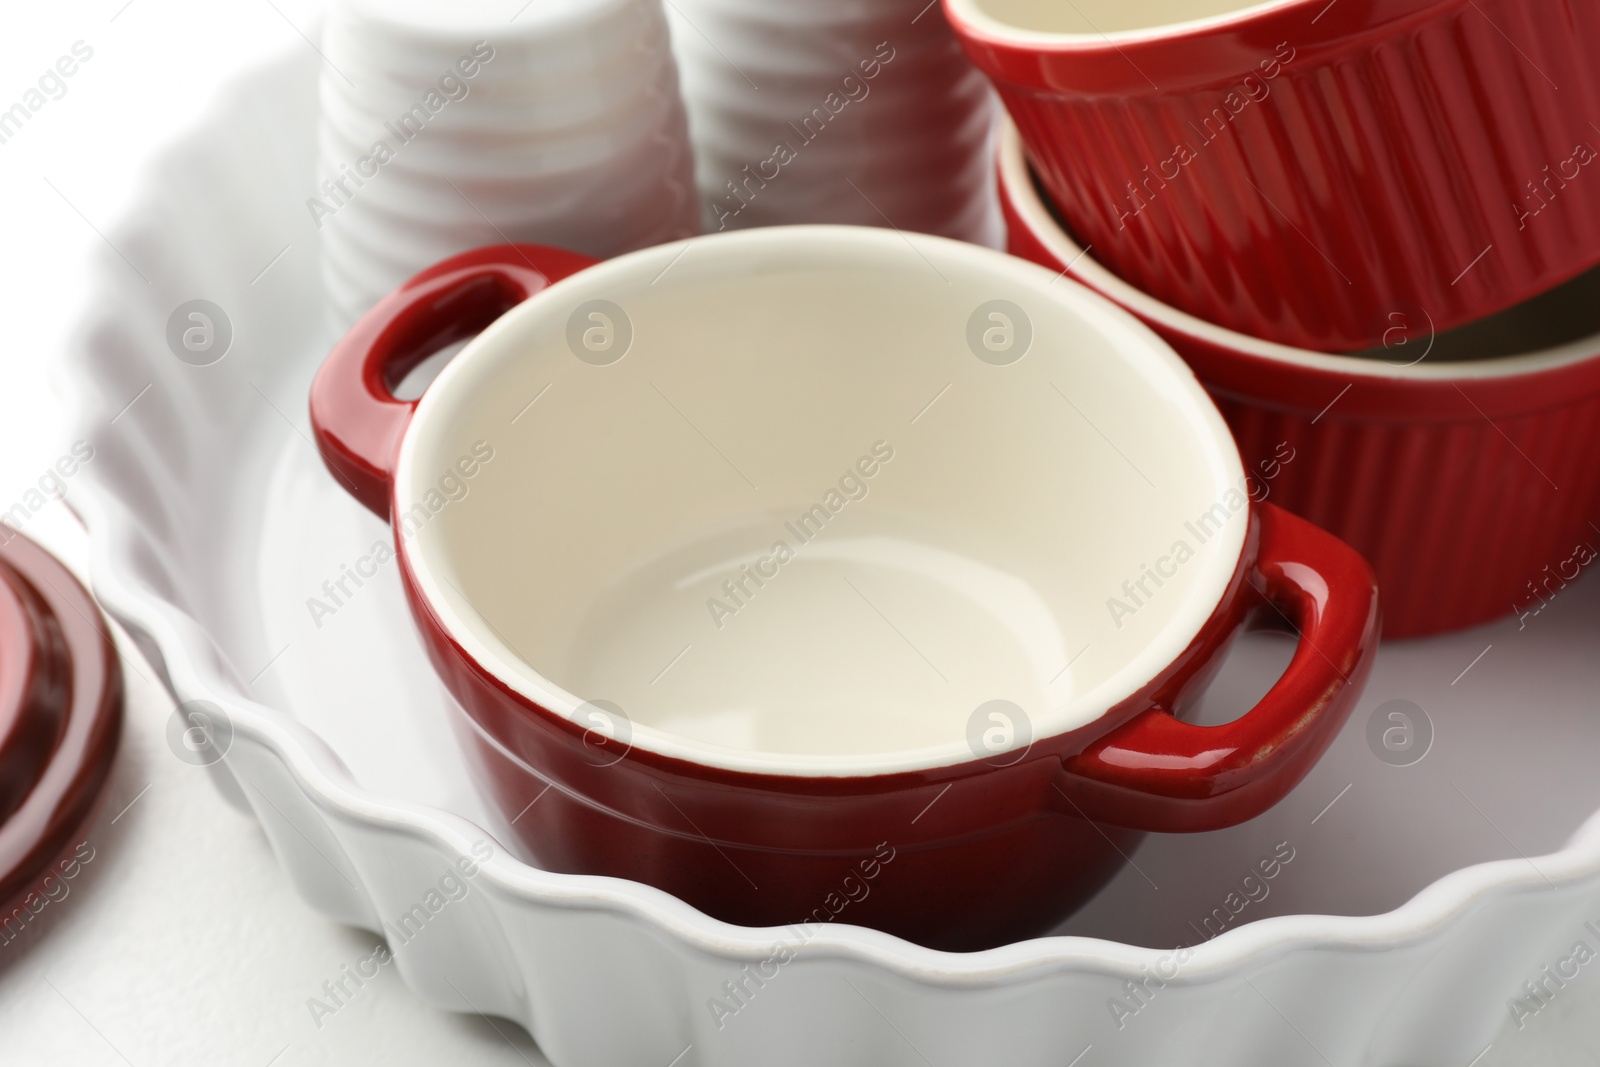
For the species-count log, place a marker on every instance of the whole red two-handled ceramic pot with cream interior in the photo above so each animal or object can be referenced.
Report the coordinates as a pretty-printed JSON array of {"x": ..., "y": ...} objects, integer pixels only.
[{"x": 825, "y": 573}]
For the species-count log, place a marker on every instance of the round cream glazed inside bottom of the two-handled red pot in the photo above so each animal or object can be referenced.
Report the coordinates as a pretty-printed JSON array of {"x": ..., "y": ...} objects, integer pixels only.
[{"x": 857, "y": 644}]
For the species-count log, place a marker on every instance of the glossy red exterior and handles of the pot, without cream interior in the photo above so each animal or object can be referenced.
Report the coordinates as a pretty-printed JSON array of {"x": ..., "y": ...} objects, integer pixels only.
[{"x": 958, "y": 857}]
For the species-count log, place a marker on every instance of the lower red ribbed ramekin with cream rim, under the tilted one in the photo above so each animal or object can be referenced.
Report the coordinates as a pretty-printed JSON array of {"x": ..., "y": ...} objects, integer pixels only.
[{"x": 1473, "y": 489}]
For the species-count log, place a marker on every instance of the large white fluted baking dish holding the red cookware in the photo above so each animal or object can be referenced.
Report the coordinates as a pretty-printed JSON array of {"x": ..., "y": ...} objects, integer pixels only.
[{"x": 1417, "y": 905}]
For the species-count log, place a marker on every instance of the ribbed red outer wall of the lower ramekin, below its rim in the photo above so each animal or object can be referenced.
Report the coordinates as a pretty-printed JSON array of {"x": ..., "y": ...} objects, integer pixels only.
[{"x": 1460, "y": 519}]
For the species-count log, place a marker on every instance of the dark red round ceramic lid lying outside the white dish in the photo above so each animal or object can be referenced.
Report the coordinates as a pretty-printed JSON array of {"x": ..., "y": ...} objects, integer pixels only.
[{"x": 60, "y": 713}]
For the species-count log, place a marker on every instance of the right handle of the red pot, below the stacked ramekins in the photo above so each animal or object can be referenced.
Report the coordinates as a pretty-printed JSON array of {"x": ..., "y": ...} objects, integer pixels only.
[{"x": 1159, "y": 773}]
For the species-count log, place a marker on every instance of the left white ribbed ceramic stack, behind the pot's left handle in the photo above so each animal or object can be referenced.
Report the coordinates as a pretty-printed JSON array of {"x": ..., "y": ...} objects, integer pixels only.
[{"x": 449, "y": 127}]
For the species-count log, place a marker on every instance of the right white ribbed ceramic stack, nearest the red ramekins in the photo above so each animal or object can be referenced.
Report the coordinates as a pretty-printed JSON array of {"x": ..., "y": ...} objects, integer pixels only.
[{"x": 836, "y": 111}]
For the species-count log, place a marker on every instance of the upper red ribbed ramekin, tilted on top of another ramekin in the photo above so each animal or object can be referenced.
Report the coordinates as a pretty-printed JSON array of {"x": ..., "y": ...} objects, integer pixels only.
[{"x": 1300, "y": 170}]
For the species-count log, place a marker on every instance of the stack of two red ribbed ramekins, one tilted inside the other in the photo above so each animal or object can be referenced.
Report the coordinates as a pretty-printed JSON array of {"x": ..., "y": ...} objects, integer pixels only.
[{"x": 1367, "y": 226}]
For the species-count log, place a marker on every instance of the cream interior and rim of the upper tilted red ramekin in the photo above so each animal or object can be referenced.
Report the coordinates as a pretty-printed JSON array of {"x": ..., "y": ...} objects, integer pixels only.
[{"x": 1103, "y": 23}]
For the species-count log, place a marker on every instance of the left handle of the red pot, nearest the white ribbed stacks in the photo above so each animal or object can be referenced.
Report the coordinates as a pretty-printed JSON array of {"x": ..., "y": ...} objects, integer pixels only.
[{"x": 354, "y": 414}]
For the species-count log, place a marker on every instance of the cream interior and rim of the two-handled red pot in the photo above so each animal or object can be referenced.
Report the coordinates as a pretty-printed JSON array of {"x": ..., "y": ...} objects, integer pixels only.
[{"x": 1022, "y": 505}]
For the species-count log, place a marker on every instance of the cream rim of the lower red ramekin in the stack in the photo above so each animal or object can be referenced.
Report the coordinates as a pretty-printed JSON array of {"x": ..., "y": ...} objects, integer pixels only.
[{"x": 1409, "y": 362}]
